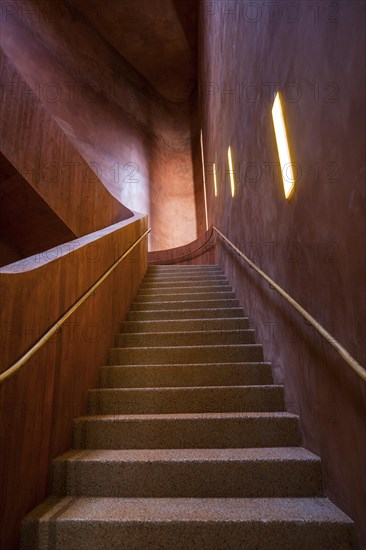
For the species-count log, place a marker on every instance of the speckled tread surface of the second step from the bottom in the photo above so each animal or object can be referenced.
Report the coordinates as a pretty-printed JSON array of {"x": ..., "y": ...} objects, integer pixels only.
[{"x": 259, "y": 454}]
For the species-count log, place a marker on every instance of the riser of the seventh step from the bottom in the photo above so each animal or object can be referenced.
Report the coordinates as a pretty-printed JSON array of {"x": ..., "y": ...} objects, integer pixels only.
[{"x": 187, "y": 338}]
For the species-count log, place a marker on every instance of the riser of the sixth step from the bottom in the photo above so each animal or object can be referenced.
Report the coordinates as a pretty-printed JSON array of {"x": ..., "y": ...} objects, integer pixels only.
[{"x": 181, "y": 355}]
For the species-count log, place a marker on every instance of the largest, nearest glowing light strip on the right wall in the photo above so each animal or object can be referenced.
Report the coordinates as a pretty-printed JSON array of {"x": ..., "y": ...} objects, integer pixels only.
[{"x": 288, "y": 177}]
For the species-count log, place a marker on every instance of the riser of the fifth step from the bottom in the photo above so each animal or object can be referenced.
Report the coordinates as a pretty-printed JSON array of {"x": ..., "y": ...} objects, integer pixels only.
[{"x": 214, "y": 374}]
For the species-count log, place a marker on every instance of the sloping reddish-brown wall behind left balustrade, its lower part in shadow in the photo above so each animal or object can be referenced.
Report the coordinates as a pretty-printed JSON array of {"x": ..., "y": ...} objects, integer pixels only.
[{"x": 47, "y": 168}]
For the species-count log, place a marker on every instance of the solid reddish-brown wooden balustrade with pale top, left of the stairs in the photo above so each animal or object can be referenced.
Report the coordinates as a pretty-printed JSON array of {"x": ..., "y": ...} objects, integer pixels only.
[{"x": 39, "y": 402}]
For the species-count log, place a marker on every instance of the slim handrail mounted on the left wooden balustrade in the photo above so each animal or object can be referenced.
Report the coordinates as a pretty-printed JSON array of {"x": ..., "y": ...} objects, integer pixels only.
[{"x": 56, "y": 326}]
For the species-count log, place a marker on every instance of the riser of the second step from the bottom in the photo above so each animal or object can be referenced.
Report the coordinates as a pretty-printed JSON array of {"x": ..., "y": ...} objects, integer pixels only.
[{"x": 192, "y": 479}]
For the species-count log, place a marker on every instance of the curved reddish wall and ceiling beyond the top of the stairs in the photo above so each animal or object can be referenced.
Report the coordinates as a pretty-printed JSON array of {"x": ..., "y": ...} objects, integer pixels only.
[{"x": 75, "y": 61}]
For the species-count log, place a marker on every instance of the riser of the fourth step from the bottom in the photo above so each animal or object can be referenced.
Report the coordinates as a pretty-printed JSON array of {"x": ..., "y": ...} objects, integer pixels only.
[{"x": 186, "y": 400}]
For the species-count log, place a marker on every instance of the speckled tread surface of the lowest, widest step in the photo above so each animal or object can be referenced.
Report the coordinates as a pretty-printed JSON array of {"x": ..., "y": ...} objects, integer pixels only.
[{"x": 193, "y": 510}]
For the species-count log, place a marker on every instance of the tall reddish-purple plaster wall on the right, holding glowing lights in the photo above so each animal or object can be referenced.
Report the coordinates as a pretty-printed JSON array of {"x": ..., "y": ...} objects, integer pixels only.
[{"x": 313, "y": 246}]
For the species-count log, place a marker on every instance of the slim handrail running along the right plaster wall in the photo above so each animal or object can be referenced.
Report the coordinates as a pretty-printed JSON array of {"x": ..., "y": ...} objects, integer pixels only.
[{"x": 326, "y": 335}]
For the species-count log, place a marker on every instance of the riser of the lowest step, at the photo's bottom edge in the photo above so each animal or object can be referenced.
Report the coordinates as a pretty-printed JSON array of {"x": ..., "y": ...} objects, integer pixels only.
[{"x": 193, "y": 535}]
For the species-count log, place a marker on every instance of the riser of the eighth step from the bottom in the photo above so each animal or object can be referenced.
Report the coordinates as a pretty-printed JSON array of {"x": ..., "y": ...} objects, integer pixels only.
[{"x": 183, "y": 325}]
